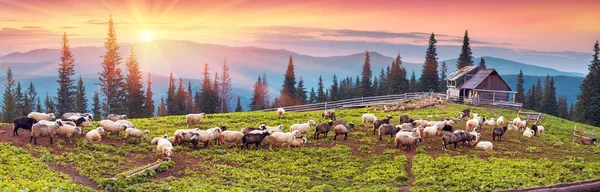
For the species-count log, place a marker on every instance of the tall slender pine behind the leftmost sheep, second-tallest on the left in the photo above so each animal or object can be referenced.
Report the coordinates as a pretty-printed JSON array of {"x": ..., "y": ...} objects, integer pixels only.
[{"x": 66, "y": 90}]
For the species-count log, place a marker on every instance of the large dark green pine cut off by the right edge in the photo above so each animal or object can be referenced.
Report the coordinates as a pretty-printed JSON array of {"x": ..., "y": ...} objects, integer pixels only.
[{"x": 587, "y": 109}]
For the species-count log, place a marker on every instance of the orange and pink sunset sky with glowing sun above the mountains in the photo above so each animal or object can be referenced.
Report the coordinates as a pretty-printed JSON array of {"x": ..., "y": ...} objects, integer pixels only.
[{"x": 303, "y": 26}]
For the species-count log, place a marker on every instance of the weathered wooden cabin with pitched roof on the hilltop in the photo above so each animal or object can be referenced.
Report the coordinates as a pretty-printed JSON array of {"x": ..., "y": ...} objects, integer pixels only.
[{"x": 475, "y": 85}]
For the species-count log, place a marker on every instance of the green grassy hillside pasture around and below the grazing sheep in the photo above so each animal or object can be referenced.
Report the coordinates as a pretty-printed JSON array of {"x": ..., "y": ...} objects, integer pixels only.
[{"x": 360, "y": 163}]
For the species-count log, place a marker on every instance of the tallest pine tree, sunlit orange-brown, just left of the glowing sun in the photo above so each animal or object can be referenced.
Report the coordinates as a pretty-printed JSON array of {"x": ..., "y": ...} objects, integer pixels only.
[{"x": 111, "y": 79}]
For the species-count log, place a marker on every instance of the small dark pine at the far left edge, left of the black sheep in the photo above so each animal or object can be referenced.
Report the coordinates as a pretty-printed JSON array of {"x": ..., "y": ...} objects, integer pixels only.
[{"x": 9, "y": 105}]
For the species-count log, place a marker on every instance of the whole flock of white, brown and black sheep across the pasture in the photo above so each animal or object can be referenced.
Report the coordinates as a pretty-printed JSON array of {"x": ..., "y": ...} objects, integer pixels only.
[{"x": 408, "y": 133}]
